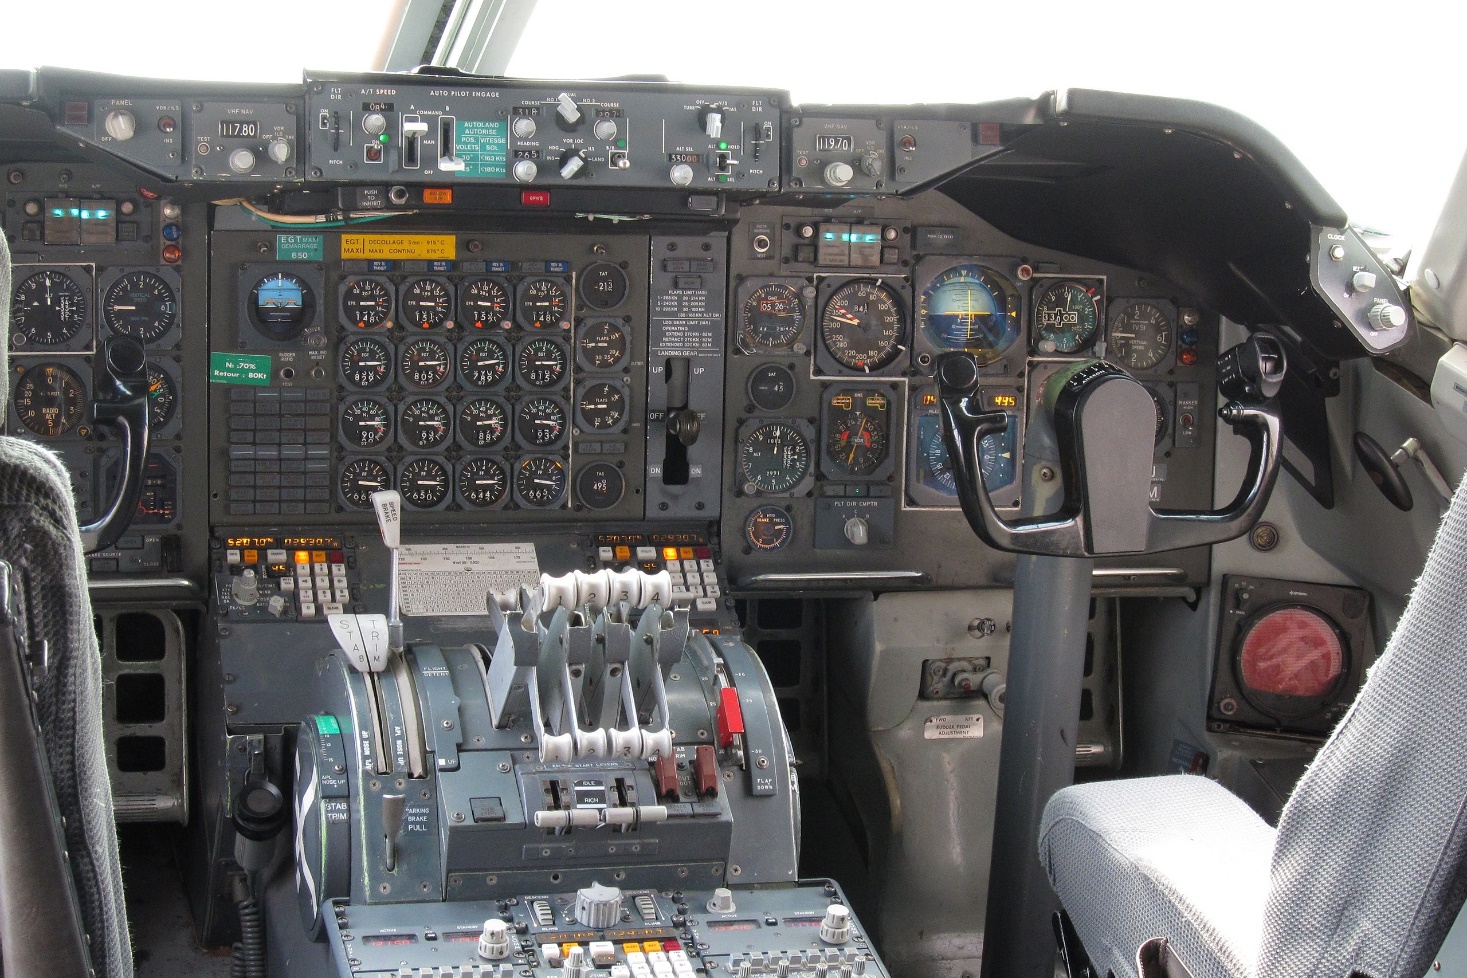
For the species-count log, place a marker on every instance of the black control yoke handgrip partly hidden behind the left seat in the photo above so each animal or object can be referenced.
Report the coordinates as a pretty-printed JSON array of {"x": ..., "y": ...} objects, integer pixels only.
[{"x": 122, "y": 405}]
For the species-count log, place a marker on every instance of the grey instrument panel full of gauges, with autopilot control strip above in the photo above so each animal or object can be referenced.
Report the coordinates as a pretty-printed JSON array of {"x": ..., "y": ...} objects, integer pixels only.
[{"x": 765, "y": 369}]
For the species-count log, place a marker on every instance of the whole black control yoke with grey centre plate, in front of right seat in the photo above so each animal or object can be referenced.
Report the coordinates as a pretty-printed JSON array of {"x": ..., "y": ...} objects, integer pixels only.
[{"x": 1104, "y": 423}]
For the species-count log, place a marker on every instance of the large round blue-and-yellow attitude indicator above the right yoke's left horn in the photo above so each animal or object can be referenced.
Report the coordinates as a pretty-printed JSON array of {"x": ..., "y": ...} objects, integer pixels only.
[{"x": 970, "y": 309}]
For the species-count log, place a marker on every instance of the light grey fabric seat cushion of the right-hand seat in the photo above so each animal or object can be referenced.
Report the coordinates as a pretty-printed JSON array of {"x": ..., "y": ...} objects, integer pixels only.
[{"x": 1161, "y": 857}]
